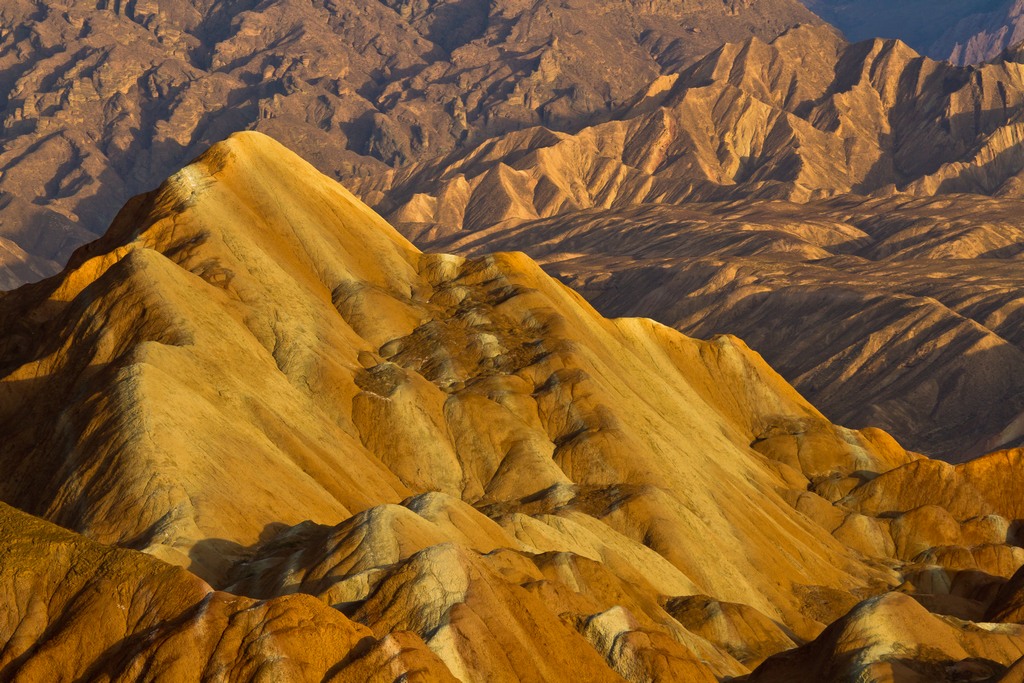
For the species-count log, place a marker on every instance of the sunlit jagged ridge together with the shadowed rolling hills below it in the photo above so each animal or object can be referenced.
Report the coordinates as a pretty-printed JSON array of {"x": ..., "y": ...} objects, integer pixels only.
[{"x": 730, "y": 183}]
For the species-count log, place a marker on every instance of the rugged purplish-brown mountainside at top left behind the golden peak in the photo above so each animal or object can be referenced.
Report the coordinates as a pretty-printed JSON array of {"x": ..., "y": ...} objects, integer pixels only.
[{"x": 101, "y": 101}]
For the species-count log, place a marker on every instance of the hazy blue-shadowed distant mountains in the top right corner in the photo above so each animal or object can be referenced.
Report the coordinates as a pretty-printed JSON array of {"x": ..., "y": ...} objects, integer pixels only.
[{"x": 961, "y": 32}]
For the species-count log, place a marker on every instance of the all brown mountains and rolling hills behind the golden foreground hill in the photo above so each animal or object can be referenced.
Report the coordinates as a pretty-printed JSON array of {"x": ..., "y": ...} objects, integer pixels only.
[{"x": 456, "y": 118}]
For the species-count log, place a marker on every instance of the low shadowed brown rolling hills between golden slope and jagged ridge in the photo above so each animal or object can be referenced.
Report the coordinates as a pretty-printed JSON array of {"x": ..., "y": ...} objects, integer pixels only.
[{"x": 900, "y": 313}]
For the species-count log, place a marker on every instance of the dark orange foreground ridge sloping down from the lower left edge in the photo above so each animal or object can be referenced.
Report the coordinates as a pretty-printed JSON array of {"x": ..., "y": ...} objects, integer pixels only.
[{"x": 75, "y": 610}]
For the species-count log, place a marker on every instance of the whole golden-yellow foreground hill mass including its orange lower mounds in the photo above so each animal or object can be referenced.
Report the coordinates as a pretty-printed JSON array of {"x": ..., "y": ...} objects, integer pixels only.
[{"x": 466, "y": 471}]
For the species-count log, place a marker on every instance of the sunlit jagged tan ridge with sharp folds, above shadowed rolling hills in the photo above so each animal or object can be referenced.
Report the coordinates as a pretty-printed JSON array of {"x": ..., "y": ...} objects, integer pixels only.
[{"x": 805, "y": 117}]
